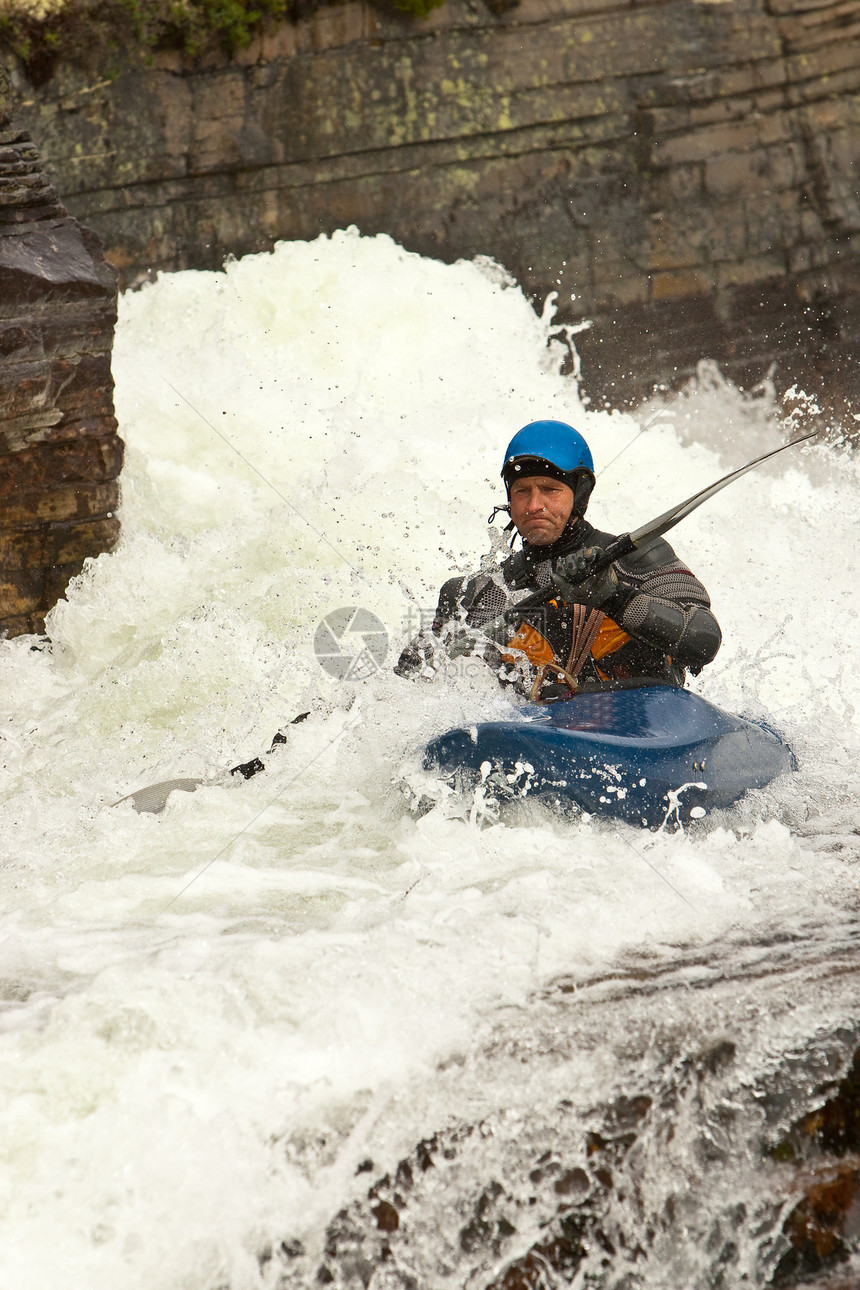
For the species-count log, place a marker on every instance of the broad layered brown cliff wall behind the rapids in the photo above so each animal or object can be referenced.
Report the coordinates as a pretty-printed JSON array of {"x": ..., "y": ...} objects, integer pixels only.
[{"x": 683, "y": 172}]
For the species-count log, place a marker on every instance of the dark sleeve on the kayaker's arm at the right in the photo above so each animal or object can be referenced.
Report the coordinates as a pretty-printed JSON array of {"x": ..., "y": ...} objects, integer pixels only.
[{"x": 661, "y": 603}]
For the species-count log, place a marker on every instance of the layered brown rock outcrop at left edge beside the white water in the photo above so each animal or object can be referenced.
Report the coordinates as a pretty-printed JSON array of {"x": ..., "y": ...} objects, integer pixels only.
[{"x": 59, "y": 446}]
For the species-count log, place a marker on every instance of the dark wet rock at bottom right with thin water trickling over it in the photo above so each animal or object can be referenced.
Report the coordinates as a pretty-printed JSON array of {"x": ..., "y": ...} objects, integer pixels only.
[{"x": 589, "y": 1198}]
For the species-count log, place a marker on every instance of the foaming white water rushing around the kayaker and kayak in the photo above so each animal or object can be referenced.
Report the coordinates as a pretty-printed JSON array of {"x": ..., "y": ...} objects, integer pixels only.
[{"x": 213, "y": 1016}]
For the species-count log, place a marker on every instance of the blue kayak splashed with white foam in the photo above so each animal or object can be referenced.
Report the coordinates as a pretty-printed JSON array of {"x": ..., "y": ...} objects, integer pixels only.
[{"x": 649, "y": 755}]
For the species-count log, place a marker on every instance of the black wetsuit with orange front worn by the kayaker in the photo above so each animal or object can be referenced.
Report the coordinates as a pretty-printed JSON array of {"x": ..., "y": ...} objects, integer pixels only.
[{"x": 657, "y": 625}]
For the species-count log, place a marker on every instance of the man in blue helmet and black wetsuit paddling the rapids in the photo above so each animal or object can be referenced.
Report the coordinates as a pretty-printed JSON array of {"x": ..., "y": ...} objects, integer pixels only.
[{"x": 644, "y": 617}]
